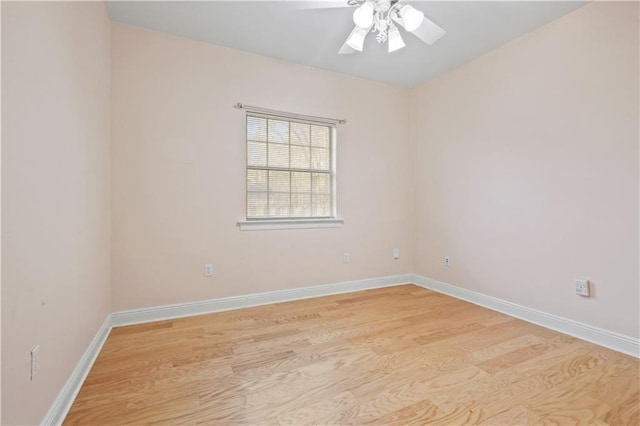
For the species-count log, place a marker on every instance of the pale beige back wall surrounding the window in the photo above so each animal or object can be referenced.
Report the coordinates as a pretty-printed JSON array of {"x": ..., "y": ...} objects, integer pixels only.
[{"x": 178, "y": 161}]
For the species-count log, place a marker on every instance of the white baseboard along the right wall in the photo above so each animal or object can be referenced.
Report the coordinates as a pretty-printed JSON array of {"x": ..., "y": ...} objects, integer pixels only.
[{"x": 608, "y": 339}]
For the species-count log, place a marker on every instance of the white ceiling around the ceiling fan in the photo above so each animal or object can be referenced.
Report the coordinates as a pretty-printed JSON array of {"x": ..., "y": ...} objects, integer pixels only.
[{"x": 285, "y": 30}]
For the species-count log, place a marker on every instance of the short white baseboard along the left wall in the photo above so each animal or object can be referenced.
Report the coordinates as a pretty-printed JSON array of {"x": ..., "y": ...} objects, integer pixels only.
[{"x": 62, "y": 404}]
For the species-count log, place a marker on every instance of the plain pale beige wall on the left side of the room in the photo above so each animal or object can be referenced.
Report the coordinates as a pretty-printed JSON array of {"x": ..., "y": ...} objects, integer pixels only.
[{"x": 55, "y": 195}]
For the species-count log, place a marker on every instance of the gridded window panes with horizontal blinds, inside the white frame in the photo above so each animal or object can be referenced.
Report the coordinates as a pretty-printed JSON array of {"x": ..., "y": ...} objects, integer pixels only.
[{"x": 290, "y": 169}]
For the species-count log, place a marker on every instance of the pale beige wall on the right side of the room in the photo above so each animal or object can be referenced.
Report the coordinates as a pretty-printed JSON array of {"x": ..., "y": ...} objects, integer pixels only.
[{"x": 526, "y": 169}]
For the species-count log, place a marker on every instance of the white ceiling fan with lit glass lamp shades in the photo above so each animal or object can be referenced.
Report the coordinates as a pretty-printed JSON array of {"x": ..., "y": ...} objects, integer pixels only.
[{"x": 381, "y": 17}]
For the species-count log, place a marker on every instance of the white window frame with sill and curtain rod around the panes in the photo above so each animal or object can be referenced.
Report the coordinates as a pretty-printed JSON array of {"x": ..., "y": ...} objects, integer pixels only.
[{"x": 268, "y": 223}]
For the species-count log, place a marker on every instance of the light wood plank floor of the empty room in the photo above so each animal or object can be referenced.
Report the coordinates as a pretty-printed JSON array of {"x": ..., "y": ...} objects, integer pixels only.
[{"x": 401, "y": 355}]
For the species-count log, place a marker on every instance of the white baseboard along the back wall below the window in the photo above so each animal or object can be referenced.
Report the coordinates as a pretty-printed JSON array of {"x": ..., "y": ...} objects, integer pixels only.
[{"x": 179, "y": 310}]
